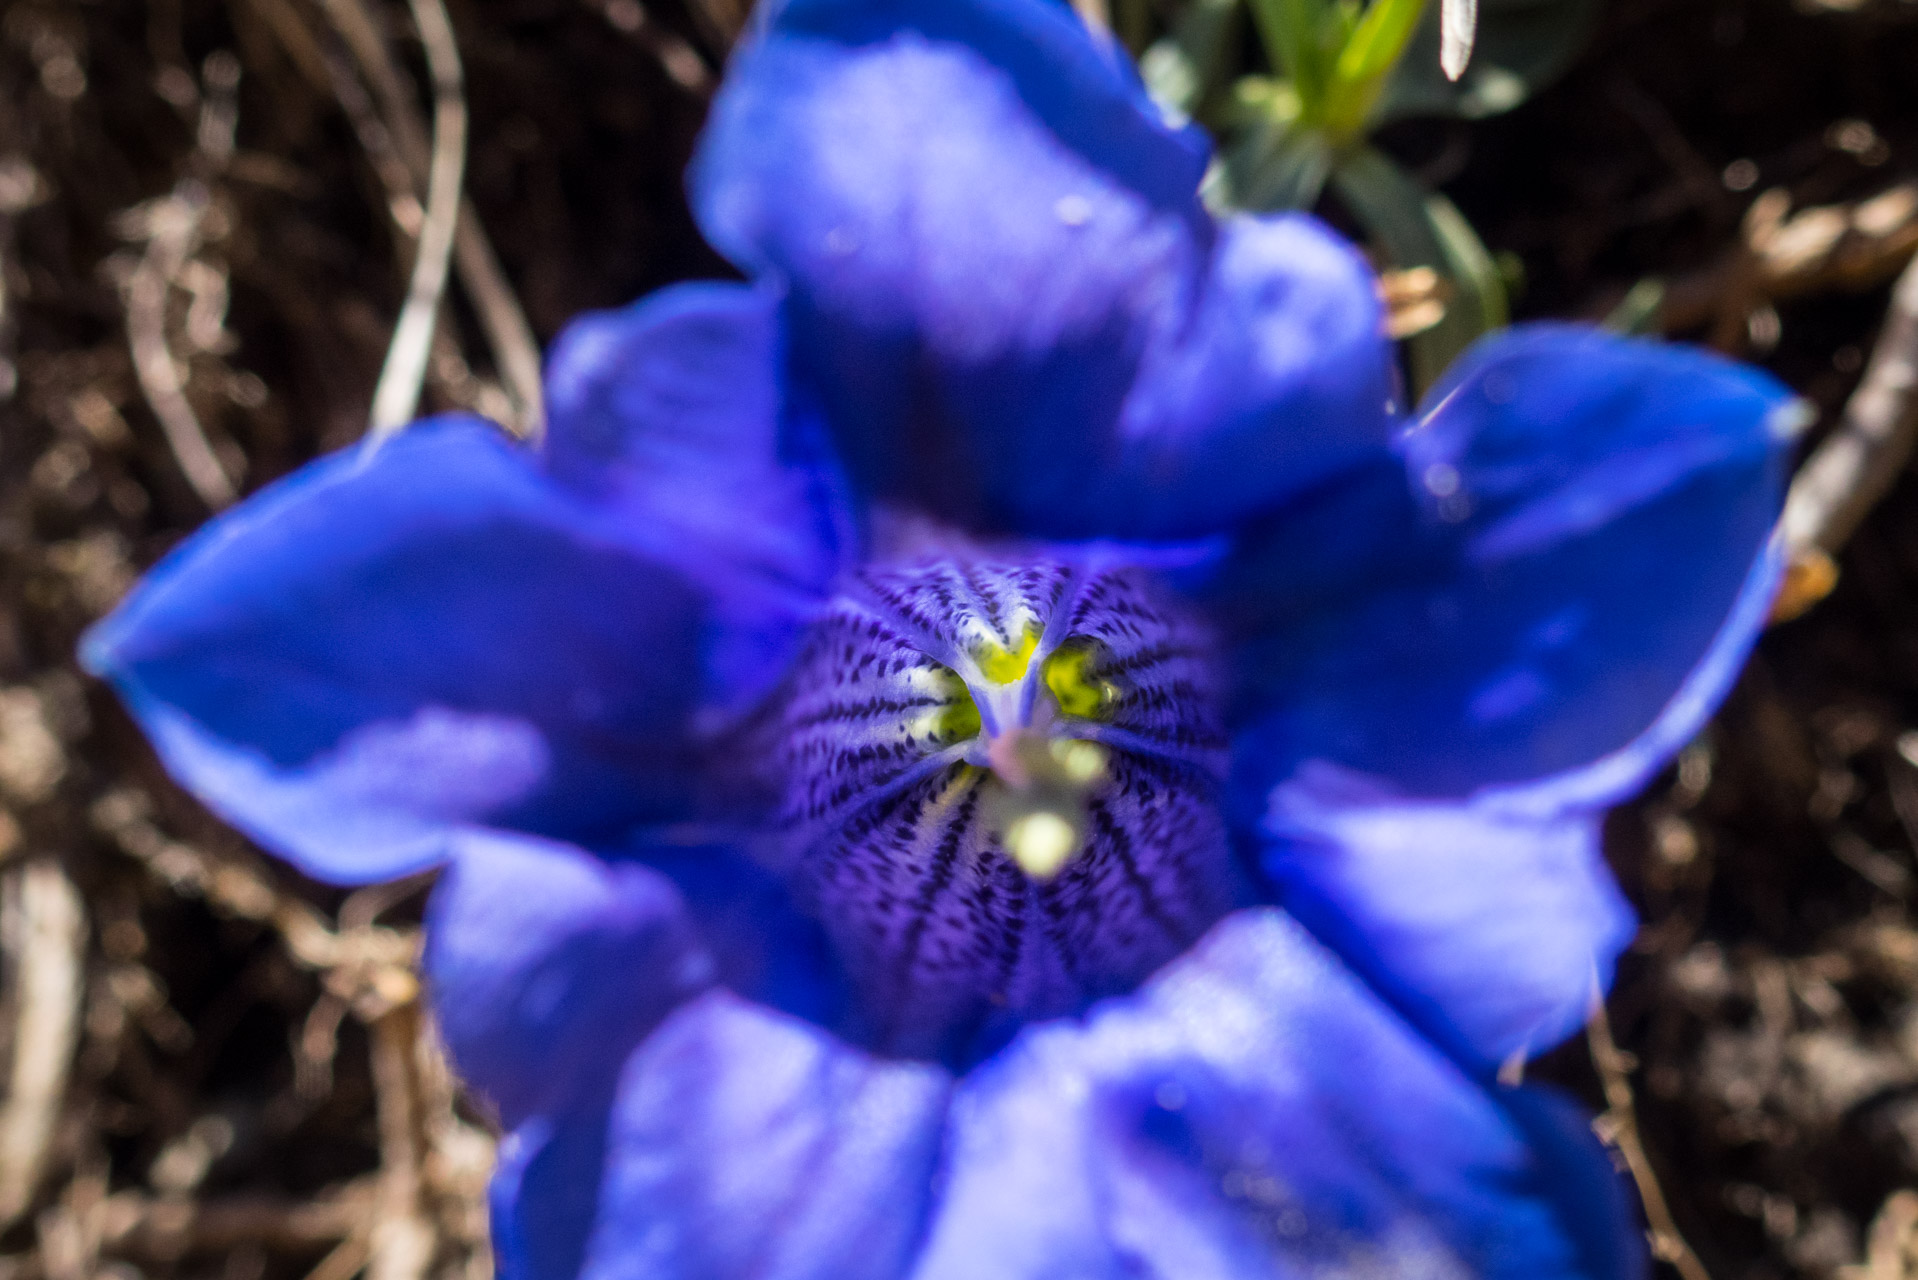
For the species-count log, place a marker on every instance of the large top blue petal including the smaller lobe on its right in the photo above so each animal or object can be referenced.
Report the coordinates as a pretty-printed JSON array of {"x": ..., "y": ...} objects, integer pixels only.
[{"x": 1004, "y": 289}]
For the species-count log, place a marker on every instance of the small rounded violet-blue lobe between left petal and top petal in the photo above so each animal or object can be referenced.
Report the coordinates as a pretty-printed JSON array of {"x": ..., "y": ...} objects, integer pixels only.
[{"x": 672, "y": 414}]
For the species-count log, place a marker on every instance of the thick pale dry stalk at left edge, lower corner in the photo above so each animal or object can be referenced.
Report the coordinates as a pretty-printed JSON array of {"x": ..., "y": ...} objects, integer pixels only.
[{"x": 49, "y": 962}]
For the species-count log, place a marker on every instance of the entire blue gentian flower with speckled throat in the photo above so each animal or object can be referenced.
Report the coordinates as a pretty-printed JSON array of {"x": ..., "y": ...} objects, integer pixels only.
[{"x": 994, "y": 747}]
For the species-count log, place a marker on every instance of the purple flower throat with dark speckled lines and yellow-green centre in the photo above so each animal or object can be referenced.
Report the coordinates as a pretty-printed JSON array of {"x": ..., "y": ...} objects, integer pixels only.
[{"x": 1000, "y": 794}]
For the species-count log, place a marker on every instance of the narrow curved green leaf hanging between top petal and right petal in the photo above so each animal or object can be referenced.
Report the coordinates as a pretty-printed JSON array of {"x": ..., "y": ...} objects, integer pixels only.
[{"x": 1418, "y": 229}]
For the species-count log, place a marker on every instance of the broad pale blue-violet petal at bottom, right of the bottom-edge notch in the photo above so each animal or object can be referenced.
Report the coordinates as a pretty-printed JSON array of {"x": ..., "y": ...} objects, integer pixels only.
[{"x": 1255, "y": 1112}]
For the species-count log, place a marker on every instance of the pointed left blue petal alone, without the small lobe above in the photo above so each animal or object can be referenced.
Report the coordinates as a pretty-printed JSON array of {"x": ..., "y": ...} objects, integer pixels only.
[{"x": 385, "y": 646}]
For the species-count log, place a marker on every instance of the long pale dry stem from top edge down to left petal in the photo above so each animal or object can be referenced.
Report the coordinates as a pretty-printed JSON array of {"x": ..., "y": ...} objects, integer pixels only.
[{"x": 404, "y": 373}]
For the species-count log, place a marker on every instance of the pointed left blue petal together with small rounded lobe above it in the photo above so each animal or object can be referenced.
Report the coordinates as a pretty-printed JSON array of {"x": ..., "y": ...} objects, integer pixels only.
[{"x": 454, "y": 630}]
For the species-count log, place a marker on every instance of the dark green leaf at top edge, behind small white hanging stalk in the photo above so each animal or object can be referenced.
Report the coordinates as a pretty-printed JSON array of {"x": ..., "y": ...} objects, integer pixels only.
[{"x": 1522, "y": 47}]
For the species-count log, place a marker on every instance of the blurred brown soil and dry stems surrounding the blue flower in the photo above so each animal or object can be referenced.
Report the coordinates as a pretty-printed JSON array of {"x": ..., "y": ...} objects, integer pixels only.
[{"x": 210, "y": 214}]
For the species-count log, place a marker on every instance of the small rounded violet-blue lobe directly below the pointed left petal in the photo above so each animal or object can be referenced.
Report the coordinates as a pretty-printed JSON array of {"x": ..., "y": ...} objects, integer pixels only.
[{"x": 548, "y": 966}]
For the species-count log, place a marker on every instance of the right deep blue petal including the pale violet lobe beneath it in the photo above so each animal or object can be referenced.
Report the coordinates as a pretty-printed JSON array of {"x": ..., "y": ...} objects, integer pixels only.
[{"x": 1507, "y": 630}]
